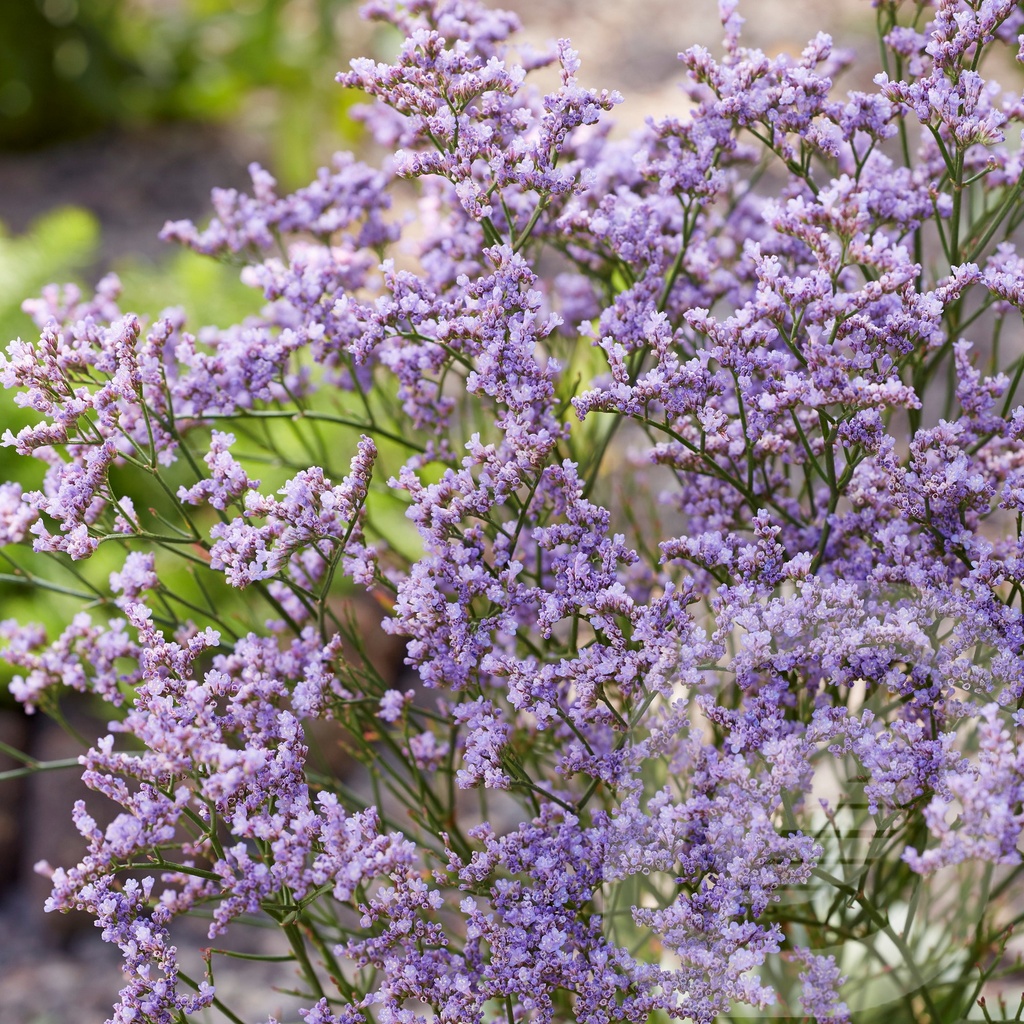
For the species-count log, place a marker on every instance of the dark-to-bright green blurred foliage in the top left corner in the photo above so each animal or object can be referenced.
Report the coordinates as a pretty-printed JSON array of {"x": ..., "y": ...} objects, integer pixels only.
[{"x": 71, "y": 67}]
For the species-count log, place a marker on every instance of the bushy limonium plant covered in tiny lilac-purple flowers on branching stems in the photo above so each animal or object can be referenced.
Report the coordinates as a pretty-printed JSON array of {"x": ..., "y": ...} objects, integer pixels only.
[{"x": 688, "y": 467}]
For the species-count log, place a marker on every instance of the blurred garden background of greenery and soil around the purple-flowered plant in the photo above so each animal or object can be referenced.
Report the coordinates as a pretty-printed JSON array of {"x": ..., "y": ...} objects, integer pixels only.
[{"x": 117, "y": 115}]
